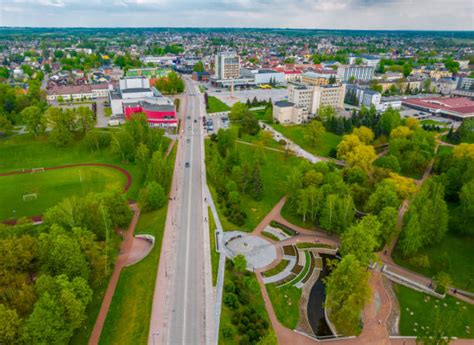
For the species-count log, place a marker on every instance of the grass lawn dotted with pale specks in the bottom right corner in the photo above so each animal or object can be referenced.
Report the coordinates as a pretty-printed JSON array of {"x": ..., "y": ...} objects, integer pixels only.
[{"x": 423, "y": 308}]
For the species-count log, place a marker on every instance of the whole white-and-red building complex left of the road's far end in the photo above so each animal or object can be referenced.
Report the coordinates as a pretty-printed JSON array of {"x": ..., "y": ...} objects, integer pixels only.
[{"x": 134, "y": 95}]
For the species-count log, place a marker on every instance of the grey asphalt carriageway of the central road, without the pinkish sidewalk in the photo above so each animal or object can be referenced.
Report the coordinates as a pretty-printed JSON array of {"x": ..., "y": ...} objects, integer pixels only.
[{"x": 187, "y": 291}]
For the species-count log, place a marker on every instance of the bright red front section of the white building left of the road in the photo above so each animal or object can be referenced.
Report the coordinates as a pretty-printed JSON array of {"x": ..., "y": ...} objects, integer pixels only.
[{"x": 159, "y": 115}]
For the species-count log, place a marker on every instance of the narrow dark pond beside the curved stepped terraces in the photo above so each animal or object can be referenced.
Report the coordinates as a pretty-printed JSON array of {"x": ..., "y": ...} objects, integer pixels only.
[{"x": 316, "y": 300}]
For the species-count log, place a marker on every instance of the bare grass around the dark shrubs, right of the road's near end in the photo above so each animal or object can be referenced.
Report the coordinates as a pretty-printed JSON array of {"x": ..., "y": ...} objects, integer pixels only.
[{"x": 251, "y": 286}]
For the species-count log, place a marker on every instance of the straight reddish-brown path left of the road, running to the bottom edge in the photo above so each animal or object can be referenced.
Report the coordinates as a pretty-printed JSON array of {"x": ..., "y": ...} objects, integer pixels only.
[{"x": 122, "y": 261}]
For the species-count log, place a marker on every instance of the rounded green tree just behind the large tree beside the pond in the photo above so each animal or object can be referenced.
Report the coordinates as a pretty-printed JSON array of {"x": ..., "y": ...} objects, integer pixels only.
[{"x": 360, "y": 239}]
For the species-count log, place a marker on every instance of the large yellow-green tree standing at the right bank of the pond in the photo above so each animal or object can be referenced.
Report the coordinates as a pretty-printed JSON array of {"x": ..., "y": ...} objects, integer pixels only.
[{"x": 348, "y": 291}]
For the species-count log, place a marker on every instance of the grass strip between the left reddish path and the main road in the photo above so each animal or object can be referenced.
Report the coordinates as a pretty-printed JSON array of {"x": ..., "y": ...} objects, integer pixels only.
[{"x": 128, "y": 319}]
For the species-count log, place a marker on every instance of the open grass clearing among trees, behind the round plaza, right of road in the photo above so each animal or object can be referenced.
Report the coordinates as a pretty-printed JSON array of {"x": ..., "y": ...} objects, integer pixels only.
[{"x": 274, "y": 173}]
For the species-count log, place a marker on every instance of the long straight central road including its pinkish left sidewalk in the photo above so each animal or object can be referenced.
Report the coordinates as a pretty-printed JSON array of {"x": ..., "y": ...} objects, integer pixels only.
[{"x": 182, "y": 305}]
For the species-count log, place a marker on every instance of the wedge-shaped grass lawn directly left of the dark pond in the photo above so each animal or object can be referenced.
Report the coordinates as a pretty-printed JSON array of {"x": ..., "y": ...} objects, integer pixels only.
[{"x": 285, "y": 301}]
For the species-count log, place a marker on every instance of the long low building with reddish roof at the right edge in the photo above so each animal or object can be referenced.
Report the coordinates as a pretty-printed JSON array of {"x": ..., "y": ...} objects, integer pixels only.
[{"x": 457, "y": 109}]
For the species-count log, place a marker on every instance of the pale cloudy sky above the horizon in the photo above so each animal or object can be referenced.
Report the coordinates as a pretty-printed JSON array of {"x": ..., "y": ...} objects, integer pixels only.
[{"x": 325, "y": 14}]
